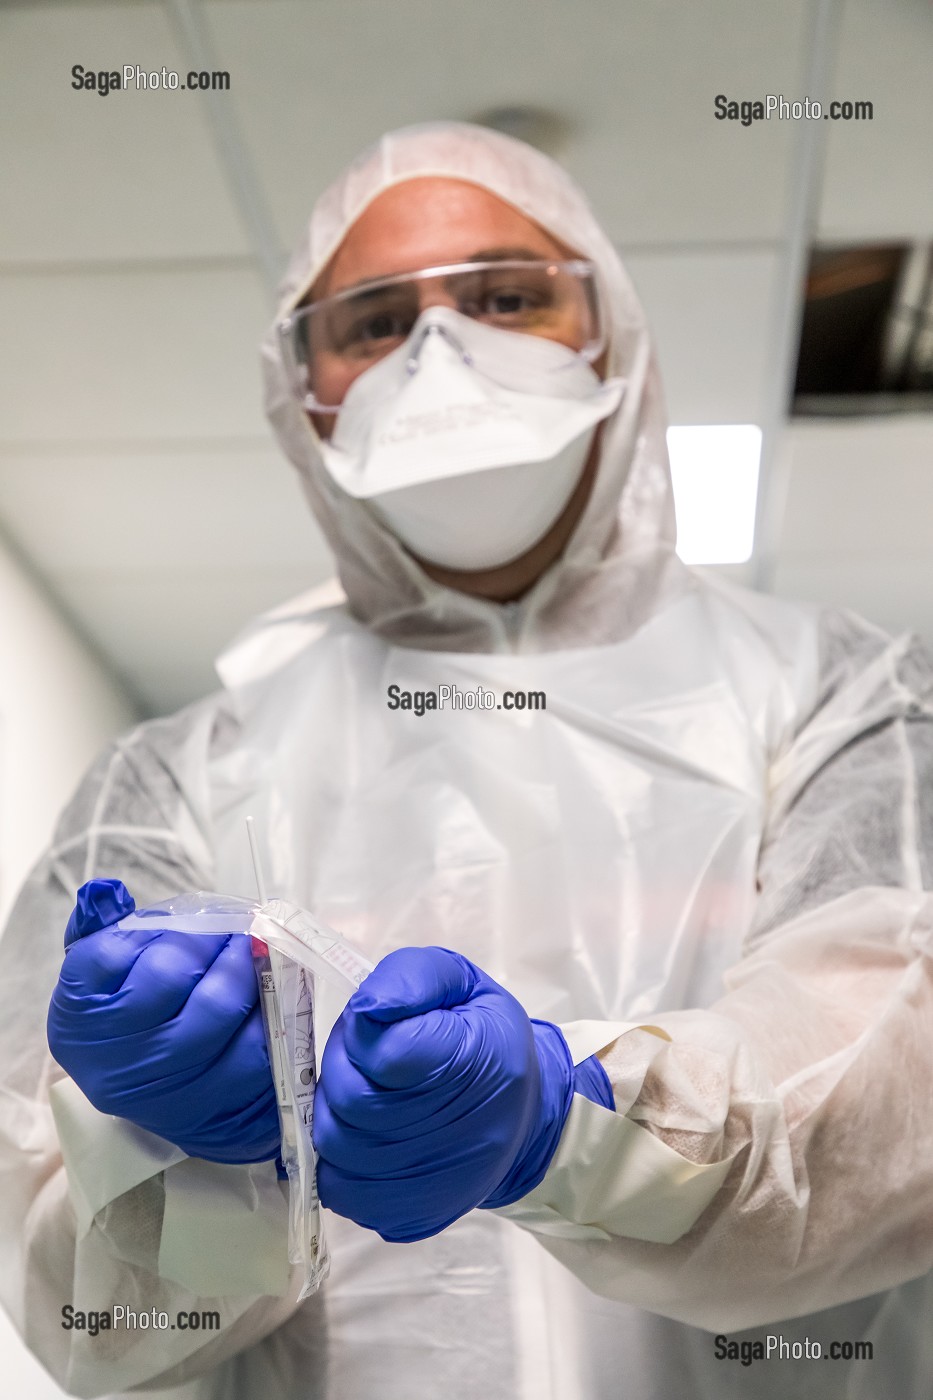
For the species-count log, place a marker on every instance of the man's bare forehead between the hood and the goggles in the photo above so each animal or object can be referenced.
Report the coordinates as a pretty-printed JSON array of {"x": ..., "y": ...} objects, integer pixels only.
[{"x": 429, "y": 222}]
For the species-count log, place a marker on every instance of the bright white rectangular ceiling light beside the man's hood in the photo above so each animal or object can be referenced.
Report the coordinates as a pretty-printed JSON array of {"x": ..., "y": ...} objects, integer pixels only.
[{"x": 715, "y": 474}]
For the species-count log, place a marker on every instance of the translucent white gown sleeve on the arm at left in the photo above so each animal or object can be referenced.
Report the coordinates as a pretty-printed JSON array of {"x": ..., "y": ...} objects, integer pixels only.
[{"x": 137, "y": 820}]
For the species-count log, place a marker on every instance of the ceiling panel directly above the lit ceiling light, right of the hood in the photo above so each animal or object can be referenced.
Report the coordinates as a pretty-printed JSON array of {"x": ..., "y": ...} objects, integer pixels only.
[{"x": 710, "y": 314}]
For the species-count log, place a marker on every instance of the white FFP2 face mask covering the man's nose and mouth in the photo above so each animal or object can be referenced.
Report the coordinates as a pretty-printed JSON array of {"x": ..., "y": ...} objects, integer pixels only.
[{"x": 469, "y": 442}]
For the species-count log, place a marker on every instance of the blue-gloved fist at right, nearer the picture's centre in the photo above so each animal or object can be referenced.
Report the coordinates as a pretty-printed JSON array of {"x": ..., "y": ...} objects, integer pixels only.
[{"x": 438, "y": 1094}]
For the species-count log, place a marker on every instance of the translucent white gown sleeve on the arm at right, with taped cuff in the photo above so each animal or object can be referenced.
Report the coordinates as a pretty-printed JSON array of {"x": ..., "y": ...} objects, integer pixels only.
[{"x": 773, "y": 1156}]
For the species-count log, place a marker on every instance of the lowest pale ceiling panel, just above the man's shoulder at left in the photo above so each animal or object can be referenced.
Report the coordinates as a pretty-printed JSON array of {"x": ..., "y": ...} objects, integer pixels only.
[{"x": 165, "y": 628}]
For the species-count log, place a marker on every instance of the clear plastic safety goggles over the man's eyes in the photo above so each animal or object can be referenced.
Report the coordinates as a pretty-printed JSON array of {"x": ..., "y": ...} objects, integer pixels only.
[{"x": 331, "y": 342}]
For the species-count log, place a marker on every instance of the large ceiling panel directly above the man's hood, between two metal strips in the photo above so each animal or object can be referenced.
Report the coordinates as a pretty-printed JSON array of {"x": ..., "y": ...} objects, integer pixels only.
[{"x": 315, "y": 83}]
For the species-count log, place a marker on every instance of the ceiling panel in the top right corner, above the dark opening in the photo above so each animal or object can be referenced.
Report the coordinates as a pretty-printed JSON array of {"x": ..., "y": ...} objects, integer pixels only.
[{"x": 879, "y": 176}]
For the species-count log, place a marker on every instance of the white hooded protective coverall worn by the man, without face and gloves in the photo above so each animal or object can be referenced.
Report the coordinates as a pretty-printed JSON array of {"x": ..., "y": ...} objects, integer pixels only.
[{"x": 715, "y": 829}]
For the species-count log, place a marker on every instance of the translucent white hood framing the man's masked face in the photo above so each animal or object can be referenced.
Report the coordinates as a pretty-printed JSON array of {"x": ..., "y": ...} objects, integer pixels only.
[{"x": 620, "y": 562}]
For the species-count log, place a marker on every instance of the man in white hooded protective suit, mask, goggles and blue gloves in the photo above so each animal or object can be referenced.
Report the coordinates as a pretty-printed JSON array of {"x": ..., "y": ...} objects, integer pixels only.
[{"x": 644, "y": 1074}]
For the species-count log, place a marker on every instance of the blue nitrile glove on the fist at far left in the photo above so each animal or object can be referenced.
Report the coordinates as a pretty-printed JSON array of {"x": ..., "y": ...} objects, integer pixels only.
[{"x": 166, "y": 1030}]
